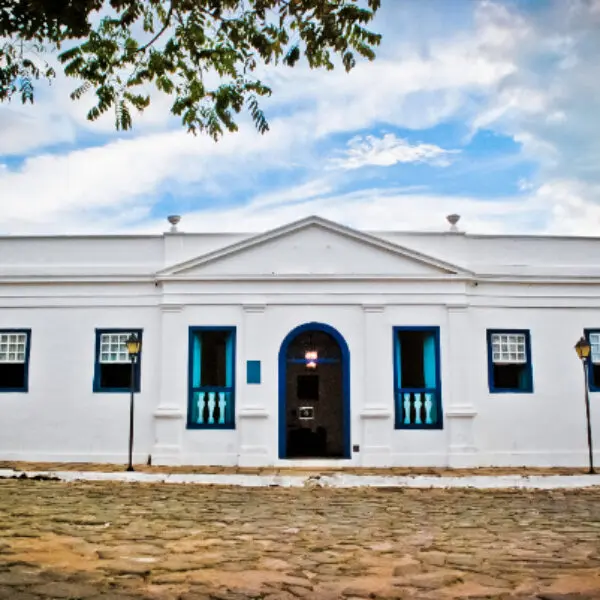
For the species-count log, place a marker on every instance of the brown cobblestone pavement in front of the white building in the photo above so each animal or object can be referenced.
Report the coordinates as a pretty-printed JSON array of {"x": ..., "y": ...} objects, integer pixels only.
[{"x": 111, "y": 541}]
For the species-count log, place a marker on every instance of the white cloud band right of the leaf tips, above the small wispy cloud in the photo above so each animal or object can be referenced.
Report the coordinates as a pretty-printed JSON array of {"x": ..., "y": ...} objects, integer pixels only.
[{"x": 407, "y": 90}]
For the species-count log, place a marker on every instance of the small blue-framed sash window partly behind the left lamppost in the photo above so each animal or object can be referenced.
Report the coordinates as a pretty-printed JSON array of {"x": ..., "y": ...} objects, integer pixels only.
[{"x": 112, "y": 365}]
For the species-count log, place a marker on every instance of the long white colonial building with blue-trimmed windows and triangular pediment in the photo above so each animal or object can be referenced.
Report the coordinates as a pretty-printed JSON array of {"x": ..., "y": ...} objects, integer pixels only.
[{"x": 309, "y": 344}]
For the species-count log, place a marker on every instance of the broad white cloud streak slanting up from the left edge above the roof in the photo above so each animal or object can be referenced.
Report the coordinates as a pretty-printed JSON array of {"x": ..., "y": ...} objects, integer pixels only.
[{"x": 53, "y": 192}]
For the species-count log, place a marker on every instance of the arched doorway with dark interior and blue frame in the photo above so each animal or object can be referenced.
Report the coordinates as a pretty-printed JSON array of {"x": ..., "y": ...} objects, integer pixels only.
[{"x": 314, "y": 393}]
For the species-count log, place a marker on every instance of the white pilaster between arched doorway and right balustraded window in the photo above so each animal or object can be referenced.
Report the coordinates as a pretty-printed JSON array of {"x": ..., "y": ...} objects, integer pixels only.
[{"x": 378, "y": 405}]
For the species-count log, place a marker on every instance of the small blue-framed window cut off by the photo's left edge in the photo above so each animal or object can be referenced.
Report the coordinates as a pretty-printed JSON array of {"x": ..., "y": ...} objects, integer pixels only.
[{"x": 14, "y": 360}]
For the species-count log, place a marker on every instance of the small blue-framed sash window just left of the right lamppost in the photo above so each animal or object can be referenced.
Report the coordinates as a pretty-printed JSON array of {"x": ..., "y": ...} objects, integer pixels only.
[{"x": 509, "y": 361}]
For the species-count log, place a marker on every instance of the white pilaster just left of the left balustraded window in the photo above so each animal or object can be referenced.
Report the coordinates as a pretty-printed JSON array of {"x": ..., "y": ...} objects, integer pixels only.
[{"x": 169, "y": 416}]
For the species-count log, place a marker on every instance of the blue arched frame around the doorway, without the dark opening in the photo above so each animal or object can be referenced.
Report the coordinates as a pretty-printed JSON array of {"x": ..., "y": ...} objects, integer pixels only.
[{"x": 289, "y": 338}]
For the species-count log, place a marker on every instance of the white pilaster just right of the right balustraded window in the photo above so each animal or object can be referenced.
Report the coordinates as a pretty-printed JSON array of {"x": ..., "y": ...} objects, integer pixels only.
[{"x": 459, "y": 411}]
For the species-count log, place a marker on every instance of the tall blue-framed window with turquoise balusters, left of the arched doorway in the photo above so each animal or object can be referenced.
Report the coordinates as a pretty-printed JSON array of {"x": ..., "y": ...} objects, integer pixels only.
[{"x": 211, "y": 400}]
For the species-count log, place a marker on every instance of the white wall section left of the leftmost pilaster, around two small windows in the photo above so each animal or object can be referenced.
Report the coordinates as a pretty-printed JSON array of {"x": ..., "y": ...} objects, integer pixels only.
[{"x": 60, "y": 417}]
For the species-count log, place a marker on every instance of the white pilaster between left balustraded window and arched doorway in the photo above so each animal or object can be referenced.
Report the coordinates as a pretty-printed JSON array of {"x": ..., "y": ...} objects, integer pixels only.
[{"x": 256, "y": 446}]
